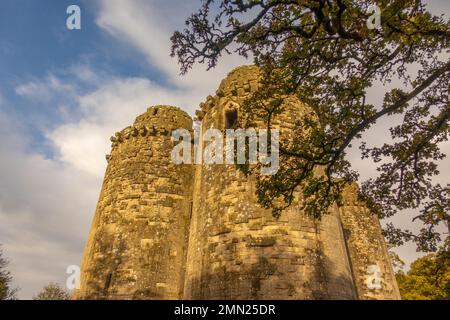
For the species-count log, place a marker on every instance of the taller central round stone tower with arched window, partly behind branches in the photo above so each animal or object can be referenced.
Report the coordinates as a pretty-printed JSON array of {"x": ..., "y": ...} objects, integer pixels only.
[{"x": 238, "y": 250}]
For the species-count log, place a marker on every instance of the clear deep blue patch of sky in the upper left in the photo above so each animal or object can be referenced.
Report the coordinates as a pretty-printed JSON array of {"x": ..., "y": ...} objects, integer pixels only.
[{"x": 36, "y": 44}]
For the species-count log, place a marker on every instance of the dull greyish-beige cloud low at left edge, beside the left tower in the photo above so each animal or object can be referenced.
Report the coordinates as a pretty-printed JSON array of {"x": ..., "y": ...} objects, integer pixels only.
[{"x": 45, "y": 210}]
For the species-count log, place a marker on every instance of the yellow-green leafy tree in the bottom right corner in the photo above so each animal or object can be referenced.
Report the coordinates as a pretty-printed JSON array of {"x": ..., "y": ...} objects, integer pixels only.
[{"x": 428, "y": 278}]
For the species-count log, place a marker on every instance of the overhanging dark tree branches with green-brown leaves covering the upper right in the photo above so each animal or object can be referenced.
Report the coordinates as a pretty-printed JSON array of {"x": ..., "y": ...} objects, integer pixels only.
[{"x": 323, "y": 52}]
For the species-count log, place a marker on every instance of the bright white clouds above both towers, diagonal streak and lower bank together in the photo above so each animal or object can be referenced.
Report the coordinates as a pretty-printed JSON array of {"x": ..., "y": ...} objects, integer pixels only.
[{"x": 117, "y": 101}]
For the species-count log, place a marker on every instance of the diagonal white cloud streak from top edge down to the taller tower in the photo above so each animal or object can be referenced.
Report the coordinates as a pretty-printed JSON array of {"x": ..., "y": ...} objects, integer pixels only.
[{"x": 148, "y": 26}]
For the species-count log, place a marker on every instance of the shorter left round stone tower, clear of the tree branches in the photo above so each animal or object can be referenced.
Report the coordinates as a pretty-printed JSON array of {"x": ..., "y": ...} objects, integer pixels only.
[{"x": 138, "y": 239}]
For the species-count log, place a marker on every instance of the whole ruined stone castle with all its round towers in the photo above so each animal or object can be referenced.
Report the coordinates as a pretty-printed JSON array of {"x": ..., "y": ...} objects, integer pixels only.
[{"x": 165, "y": 231}]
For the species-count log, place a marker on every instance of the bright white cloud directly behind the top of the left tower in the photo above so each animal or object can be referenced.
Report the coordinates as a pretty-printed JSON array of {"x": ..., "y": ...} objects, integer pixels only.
[{"x": 110, "y": 108}]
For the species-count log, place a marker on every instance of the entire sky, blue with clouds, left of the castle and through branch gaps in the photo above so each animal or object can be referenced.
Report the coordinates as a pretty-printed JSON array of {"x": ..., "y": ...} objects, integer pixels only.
[{"x": 62, "y": 95}]
